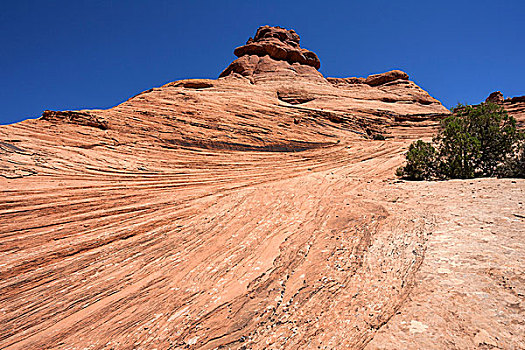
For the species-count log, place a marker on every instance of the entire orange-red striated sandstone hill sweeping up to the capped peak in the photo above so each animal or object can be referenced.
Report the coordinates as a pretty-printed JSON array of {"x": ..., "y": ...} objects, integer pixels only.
[{"x": 255, "y": 211}]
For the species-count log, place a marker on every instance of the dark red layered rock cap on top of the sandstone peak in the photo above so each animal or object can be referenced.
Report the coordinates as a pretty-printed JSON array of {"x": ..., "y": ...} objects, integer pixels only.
[{"x": 280, "y": 44}]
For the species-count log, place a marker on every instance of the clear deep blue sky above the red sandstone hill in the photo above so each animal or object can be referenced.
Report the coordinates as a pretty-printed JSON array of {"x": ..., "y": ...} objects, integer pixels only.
[{"x": 95, "y": 54}]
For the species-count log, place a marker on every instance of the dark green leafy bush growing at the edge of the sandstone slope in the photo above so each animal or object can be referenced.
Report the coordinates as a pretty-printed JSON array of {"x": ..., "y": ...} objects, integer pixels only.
[{"x": 475, "y": 141}]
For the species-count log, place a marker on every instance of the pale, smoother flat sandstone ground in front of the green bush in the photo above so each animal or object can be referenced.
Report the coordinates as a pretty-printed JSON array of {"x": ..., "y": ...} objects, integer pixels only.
[{"x": 470, "y": 292}]
